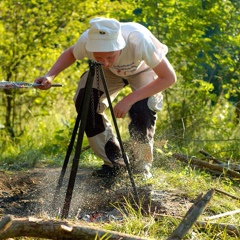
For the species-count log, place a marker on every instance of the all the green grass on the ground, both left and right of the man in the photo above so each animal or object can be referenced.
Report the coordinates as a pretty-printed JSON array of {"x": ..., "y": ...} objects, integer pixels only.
[{"x": 44, "y": 144}]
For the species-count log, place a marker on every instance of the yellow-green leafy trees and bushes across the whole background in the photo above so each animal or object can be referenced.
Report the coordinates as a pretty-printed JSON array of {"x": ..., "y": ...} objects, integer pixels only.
[{"x": 203, "y": 47}]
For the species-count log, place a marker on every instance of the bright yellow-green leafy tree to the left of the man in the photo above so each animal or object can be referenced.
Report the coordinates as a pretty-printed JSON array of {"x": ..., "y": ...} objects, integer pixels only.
[{"x": 33, "y": 34}]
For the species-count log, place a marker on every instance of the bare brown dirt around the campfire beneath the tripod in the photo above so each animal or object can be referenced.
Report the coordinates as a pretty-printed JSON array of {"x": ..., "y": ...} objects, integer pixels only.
[{"x": 31, "y": 193}]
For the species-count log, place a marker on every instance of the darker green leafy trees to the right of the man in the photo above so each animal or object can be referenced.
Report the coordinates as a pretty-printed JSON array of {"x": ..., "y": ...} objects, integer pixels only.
[{"x": 203, "y": 40}]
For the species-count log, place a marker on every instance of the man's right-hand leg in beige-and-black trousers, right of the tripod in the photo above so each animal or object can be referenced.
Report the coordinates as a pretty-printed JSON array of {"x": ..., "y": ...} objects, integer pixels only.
[{"x": 142, "y": 125}]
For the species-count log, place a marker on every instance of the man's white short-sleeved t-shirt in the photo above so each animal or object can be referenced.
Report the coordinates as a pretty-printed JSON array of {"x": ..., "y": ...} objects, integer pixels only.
[{"x": 142, "y": 50}]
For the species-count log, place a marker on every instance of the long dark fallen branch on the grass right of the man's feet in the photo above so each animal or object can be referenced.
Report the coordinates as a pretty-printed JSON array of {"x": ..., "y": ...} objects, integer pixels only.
[{"x": 195, "y": 161}]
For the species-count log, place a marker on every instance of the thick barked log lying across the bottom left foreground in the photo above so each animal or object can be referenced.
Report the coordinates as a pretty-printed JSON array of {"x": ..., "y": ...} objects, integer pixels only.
[{"x": 50, "y": 229}]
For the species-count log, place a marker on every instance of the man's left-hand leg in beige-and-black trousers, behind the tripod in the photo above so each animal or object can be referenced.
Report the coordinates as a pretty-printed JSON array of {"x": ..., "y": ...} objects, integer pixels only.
[{"x": 98, "y": 129}]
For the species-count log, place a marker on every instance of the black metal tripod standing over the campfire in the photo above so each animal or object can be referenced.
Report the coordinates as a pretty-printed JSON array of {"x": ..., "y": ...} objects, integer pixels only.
[{"x": 79, "y": 129}]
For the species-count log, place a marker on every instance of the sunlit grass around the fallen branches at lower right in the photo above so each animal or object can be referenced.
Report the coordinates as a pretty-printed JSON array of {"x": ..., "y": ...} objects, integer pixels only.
[{"x": 191, "y": 183}]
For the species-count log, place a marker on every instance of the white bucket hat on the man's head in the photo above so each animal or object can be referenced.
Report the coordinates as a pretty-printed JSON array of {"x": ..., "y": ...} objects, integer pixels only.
[{"x": 105, "y": 35}]
